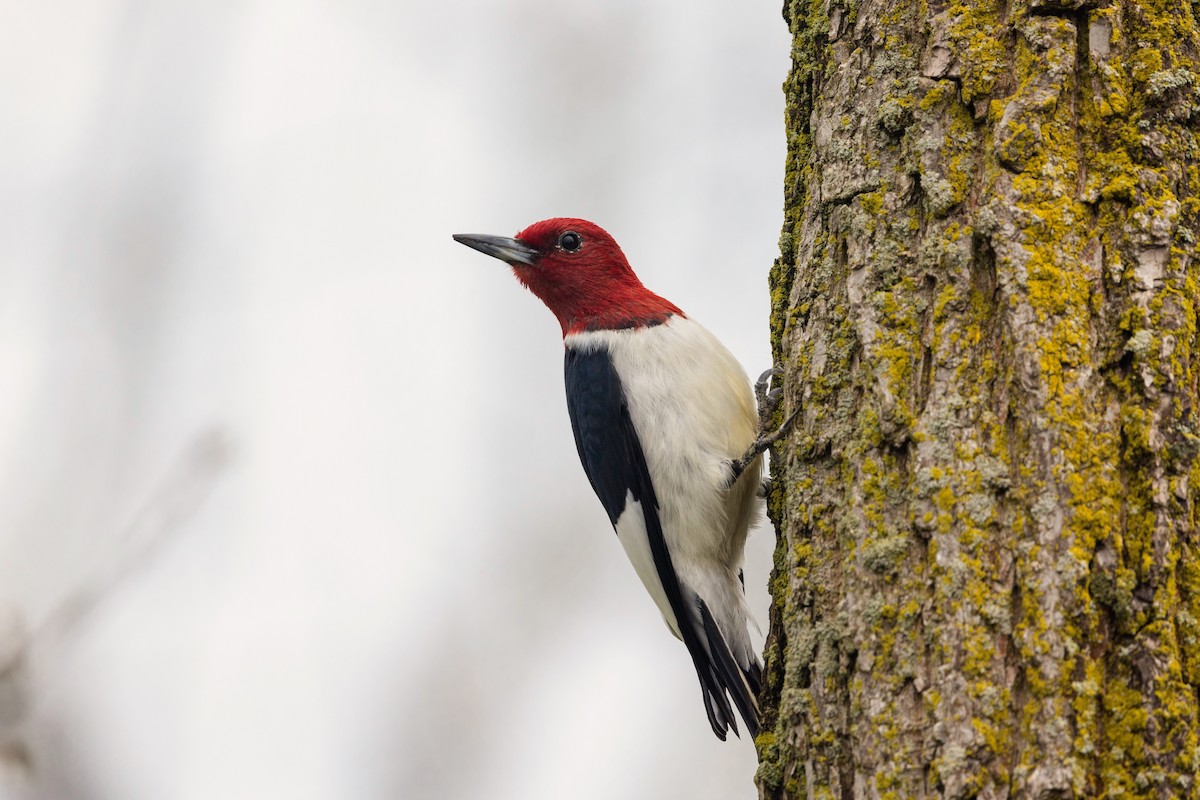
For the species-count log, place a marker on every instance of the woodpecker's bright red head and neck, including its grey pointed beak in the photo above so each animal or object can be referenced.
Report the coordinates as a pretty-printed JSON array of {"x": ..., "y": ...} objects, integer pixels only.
[{"x": 580, "y": 273}]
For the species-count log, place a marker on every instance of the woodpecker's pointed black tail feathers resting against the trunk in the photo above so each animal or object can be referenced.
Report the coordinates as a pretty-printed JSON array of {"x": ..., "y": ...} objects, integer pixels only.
[{"x": 722, "y": 677}]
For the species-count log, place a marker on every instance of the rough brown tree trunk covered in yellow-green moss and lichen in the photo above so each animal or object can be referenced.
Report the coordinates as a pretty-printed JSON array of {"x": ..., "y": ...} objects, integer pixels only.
[{"x": 988, "y": 575}]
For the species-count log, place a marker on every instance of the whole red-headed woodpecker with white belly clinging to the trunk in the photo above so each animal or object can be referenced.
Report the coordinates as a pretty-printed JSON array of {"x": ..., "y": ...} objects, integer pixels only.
[{"x": 668, "y": 431}]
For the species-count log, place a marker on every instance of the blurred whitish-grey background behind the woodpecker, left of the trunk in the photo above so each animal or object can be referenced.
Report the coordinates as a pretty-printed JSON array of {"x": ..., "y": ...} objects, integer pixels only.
[{"x": 290, "y": 502}]
